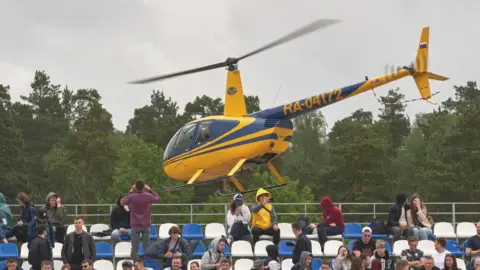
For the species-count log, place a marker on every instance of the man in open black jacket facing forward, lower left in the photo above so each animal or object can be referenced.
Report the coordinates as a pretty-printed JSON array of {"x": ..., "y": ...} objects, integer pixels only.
[{"x": 79, "y": 245}]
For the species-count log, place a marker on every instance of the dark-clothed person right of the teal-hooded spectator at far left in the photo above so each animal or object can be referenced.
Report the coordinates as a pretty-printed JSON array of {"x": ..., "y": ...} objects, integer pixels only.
[{"x": 28, "y": 212}]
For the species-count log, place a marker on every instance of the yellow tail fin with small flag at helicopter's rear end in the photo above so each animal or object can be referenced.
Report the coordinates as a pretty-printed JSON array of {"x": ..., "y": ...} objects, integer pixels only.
[{"x": 422, "y": 75}]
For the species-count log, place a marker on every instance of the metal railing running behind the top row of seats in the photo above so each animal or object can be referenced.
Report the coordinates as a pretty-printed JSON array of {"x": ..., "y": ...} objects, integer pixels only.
[{"x": 362, "y": 213}]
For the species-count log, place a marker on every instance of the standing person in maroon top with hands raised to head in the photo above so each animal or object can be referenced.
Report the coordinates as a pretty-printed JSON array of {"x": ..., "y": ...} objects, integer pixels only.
[{"x": 140, "y": 200}]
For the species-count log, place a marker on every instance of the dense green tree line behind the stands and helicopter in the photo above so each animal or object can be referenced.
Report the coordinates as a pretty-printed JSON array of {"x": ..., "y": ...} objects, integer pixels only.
[{"x": 58, "y": 139}]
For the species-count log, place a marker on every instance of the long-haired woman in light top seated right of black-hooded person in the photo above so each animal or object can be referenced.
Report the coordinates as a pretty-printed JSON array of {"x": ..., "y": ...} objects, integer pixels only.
[{"x": 418, "y": 220}]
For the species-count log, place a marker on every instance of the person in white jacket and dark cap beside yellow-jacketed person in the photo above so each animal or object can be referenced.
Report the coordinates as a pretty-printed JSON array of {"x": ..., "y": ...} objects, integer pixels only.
[{"x": 238, "y": 217}]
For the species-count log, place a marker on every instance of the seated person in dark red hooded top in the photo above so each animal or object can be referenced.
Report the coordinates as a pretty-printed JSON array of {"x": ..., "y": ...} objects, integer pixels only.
[{"x": 332, "y": 223}]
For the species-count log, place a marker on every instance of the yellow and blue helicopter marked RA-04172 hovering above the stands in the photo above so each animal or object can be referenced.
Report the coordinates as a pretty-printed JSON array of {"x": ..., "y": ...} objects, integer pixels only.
[{"x": 221, "y": 147}]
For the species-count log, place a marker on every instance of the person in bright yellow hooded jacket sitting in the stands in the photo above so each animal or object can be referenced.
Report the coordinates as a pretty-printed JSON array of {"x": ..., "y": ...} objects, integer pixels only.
[{"x": 264, "y": 217}]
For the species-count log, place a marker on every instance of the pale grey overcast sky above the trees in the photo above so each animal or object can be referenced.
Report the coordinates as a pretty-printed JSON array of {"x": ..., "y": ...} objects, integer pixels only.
[{"x": 104, "y": 44}]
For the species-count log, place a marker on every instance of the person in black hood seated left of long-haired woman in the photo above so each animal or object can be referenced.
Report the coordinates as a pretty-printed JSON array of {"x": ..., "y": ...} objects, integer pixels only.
[{"x": 397, "y": 219}]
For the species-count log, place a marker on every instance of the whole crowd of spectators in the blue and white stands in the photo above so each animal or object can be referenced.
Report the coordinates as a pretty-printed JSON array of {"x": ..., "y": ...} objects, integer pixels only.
[{"x": 44, "y": 226}]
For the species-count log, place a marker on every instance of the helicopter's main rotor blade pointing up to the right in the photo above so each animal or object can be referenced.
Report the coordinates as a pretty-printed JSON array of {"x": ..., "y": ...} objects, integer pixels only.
[{"x": 318, "y": 24}]
